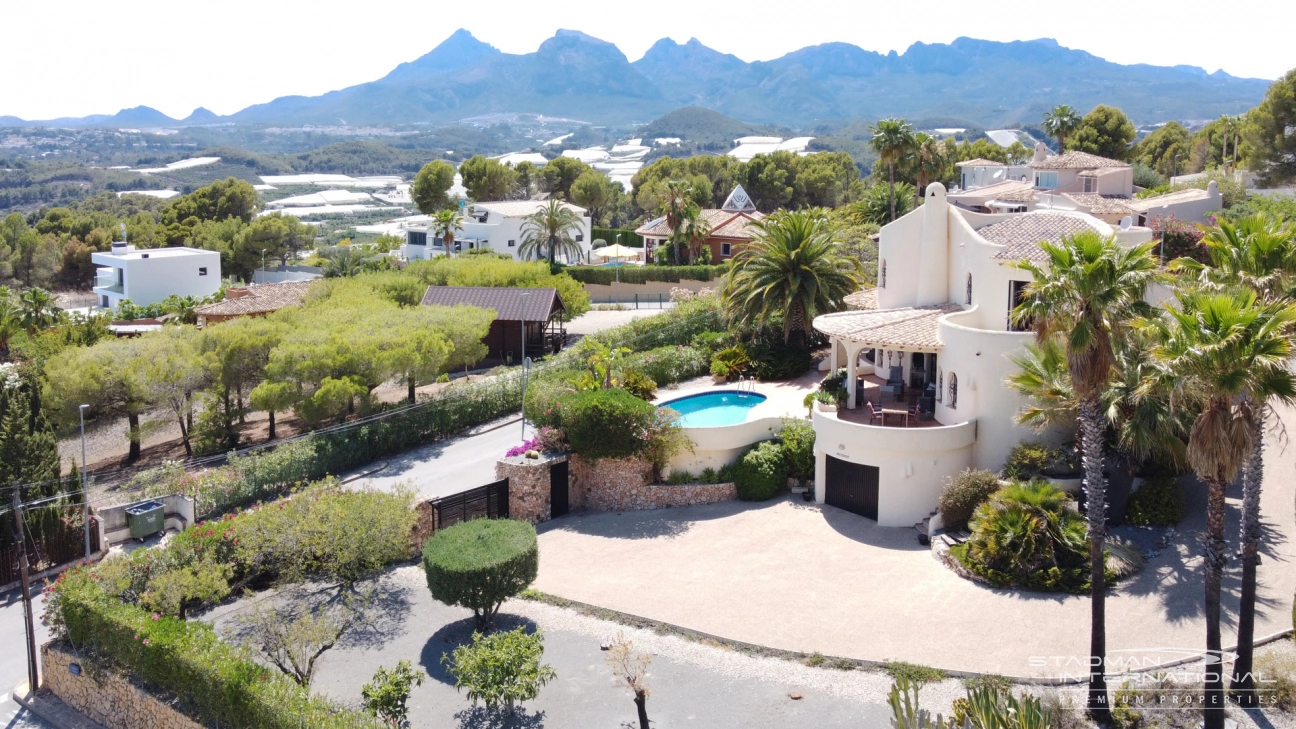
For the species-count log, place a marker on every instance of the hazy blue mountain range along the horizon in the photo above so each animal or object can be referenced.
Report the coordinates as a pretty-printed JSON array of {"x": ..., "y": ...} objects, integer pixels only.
[{"x": 580, "y": 77}]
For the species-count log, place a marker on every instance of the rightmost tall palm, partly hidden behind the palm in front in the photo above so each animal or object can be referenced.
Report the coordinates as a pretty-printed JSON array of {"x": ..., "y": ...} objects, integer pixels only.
[{"x": 1258, "y": 254}]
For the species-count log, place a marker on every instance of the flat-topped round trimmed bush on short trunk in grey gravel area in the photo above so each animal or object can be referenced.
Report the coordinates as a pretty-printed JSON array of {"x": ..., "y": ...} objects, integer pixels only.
[{"x": 481, "y": 564}]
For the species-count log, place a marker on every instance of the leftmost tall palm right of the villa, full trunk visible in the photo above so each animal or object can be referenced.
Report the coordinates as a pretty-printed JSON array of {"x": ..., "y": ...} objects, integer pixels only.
[{"x": 1088, "y": 293}]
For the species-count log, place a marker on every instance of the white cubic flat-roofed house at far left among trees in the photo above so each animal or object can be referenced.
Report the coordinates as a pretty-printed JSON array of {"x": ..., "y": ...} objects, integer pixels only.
[{"x": 150, "y": 276}]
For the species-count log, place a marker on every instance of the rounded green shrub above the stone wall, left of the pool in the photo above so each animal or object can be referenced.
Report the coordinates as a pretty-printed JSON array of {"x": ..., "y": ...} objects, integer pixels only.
[{"x": 606, "y": 424}]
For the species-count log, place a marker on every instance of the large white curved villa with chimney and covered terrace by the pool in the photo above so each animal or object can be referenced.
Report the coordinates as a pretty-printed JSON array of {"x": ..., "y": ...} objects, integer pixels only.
[{"x": 939, "y": 321}]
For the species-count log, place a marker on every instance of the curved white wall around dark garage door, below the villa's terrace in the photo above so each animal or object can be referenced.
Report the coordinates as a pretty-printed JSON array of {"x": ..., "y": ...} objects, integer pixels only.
[{"x": 913, "y": 464}]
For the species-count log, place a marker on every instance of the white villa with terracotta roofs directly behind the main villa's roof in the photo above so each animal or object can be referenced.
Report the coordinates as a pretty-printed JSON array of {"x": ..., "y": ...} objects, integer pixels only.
[{"x": 1075, "y": 182}]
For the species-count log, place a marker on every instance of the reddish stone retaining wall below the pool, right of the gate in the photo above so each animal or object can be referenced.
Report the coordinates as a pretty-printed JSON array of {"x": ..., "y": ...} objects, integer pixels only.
[{"x": 625, "y": 484}]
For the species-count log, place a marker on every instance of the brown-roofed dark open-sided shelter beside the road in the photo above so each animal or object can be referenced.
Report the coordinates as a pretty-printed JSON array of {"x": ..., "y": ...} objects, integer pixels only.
[{"x": 538, "y": 312}]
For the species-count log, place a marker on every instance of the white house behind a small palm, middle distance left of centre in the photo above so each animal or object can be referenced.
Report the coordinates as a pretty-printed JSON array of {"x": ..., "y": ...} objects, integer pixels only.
[{"x": 492, "y": 226}]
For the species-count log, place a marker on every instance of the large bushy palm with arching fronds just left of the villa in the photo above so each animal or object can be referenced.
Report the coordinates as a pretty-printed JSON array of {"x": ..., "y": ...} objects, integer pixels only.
[{"x": 794, "y": 269}]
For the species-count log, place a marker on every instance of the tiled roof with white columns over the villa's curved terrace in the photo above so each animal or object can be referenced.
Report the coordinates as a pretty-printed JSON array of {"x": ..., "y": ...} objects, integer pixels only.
[{"x": 908, "y": 331}]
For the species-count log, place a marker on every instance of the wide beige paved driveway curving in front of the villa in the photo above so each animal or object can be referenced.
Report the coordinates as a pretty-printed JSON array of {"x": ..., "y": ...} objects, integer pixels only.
[{"x": 799, "y": 577}]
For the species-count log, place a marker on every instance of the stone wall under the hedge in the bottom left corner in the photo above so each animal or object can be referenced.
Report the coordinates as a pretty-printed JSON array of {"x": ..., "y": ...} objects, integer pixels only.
[{"x": 108, "y": 699}]
